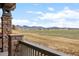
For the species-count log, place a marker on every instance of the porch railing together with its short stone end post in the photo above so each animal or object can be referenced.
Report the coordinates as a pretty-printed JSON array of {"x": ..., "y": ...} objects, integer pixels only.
[{"x": 20, "y": 47}]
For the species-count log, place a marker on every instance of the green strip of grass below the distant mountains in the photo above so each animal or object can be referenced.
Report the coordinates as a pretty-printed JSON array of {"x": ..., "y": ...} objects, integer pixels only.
[{"x": 72, "y": 34}]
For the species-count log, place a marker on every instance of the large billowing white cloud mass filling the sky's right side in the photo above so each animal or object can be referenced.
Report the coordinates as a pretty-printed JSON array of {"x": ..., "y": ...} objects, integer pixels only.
[{"x": 64, "y": 18}]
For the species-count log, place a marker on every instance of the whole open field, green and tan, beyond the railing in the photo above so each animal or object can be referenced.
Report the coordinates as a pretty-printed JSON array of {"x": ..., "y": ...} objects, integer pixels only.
[{"x": 62, "y": 40}]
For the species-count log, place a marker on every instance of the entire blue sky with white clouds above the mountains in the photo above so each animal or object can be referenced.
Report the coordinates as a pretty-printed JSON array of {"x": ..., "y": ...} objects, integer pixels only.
[{"x": 46, "y": 14}]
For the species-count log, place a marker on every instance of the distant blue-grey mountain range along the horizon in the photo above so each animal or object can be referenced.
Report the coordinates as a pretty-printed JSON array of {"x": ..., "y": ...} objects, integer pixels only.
[{"x": 40, "y": 27}]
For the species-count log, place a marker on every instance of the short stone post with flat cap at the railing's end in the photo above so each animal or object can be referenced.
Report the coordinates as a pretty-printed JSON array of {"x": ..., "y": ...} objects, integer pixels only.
[{"x": 12, "y": 42}]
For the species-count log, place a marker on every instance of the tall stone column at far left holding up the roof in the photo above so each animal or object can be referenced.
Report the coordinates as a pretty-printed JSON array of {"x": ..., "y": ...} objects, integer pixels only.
[{"x": 6, "y": 29}]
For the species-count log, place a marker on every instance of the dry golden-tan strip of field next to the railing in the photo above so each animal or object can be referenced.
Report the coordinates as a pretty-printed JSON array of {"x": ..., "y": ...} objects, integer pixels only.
[{"x": 70, "y": 46}]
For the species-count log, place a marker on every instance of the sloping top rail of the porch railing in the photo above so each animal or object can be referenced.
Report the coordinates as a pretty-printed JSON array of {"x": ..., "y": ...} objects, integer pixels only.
[{"x": 52, "y": 51}]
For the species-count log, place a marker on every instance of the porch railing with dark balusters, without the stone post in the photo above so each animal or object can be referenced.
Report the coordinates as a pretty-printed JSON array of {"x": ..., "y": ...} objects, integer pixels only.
[{"x": 30, "y": 49}]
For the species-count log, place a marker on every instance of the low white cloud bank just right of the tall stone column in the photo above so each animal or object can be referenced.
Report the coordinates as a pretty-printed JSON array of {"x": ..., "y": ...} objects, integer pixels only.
[{"x": 24, "y": 22}]
